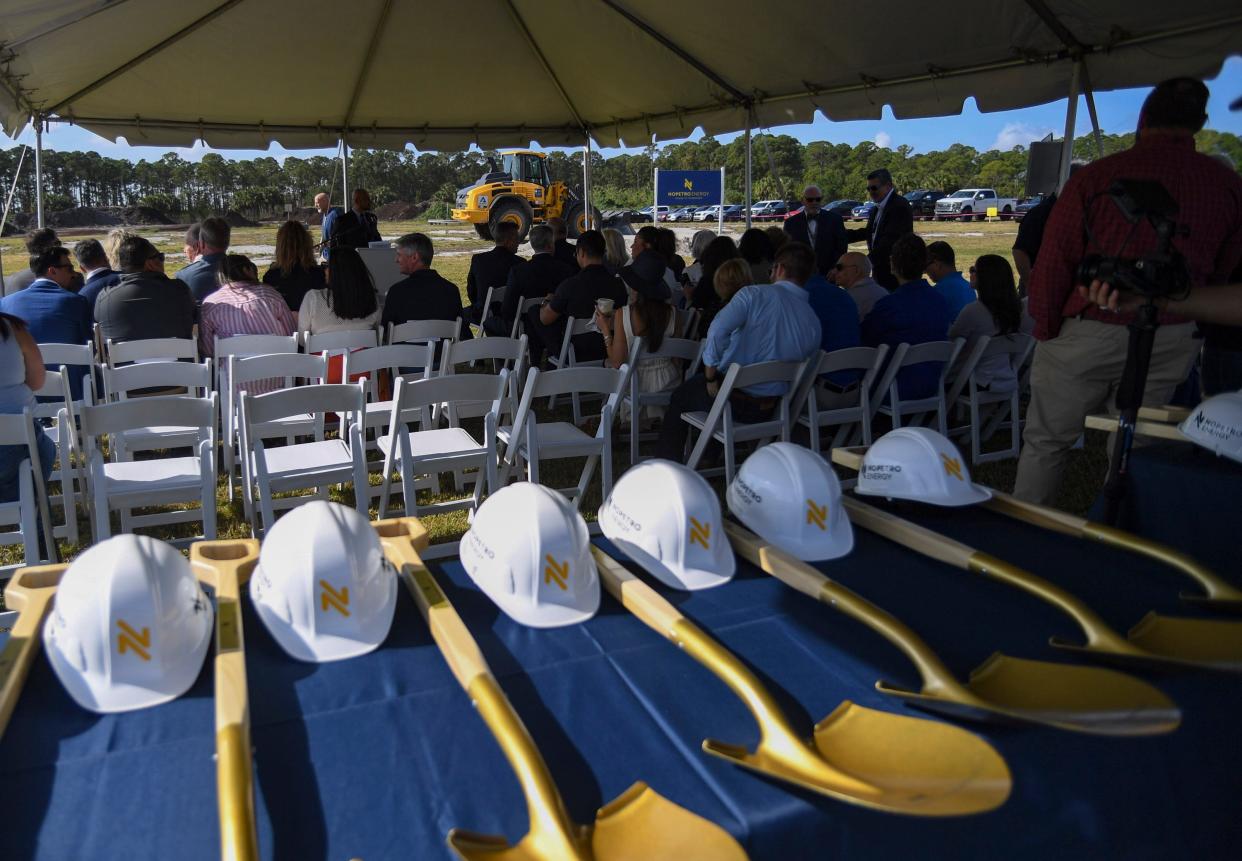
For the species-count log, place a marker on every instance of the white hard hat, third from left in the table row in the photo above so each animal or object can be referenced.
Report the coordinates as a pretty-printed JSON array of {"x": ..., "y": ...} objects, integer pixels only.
[{"x": 530, "y": 552}]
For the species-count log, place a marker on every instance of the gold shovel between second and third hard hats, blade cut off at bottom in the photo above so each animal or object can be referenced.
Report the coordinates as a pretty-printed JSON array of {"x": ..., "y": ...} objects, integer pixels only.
[{"x": 639, "y": 824}]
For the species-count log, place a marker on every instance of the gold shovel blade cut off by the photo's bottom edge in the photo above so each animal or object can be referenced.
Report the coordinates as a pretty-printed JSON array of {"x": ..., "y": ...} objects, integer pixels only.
[{"x": 638, "y": 824}]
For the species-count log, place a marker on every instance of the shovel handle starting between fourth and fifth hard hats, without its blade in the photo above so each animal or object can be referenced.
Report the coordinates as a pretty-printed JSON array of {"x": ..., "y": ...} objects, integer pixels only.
[{"x": 808, "y": 581}]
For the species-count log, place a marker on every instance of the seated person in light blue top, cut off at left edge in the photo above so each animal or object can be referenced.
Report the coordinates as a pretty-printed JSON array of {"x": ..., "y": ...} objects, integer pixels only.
[{"x": 27, "y": 375}]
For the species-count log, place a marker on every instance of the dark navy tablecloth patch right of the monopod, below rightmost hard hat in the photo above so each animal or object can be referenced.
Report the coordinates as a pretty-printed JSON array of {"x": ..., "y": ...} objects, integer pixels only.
[{"x": 1187, "y": 498}]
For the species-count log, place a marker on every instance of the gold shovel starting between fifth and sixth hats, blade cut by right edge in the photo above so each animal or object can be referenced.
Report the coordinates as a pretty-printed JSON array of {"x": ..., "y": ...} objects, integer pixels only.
[{"x": 1156, "y": 642}]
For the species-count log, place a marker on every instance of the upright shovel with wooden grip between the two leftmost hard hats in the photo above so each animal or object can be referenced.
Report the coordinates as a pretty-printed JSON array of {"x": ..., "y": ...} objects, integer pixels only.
[{"x": 225, "y": 566}]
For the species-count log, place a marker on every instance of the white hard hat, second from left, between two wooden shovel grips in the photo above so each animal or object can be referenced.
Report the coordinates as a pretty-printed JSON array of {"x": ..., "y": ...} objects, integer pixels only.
[{"x": 322, "y": 587}]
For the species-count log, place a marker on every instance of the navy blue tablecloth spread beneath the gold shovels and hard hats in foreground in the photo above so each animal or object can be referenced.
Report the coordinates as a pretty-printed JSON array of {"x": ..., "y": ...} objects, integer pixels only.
[{"x": 379, "y": 757}]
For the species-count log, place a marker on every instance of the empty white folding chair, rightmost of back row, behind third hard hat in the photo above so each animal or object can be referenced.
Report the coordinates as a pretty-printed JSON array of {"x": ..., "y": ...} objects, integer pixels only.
[{"x": 531, "y": 442}]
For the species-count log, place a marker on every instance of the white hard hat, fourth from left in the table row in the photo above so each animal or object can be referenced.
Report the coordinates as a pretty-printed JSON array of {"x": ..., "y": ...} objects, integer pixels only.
[{"x": 668, "y": 519}]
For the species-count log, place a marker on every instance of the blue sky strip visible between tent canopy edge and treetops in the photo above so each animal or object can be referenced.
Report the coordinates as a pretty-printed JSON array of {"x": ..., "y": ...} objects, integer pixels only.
[{"x": 1118, "y": 112}]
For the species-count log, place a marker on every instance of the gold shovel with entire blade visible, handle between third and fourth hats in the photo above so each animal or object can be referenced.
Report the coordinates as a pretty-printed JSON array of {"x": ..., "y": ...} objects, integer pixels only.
[{"x": 875, "y": 760}]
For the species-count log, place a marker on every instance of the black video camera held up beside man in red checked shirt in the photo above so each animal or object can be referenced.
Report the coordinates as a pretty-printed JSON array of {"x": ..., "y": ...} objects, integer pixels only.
[{"x": 1161, "y": 273}]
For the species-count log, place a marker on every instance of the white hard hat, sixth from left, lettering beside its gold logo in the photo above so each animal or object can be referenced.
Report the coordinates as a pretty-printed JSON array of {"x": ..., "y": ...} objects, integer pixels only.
[{"x": 918, "y": 464}]
